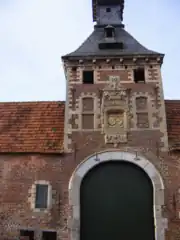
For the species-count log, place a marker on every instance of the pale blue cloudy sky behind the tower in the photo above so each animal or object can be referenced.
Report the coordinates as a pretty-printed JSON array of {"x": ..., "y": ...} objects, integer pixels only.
[{"x": 34, "y": 34}]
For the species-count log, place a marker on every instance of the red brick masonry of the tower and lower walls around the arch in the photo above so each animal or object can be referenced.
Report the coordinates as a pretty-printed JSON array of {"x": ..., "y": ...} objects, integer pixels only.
[{"x": 146, "y": 136}]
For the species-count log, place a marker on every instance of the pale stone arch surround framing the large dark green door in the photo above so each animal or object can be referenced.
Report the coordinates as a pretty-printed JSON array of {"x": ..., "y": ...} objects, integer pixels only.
[{"x": 92, "y": 161}]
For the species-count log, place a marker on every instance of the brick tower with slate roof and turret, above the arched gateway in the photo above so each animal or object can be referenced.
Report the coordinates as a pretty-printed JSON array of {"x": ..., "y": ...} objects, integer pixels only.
[{"x": 114, "y": 89}]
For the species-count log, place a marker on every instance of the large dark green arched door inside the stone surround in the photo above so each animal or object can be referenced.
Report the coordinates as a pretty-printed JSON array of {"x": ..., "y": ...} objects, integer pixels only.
[{"x": 116, "y": 200}]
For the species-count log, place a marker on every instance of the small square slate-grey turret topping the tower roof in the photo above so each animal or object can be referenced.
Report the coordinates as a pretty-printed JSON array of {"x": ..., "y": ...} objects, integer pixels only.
[{"x": 108, "y": 11}]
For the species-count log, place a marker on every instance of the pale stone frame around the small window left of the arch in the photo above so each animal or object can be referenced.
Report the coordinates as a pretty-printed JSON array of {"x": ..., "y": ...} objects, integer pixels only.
[{"x": 32, "y": 197}]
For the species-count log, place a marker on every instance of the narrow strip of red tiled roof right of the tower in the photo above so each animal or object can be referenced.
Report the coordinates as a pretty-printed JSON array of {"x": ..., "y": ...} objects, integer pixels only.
[{"x": 173, "y": 122}]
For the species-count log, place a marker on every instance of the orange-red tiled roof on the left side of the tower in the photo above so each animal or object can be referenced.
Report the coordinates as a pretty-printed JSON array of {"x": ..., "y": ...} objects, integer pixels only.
[{"x": 32, "y": 127}]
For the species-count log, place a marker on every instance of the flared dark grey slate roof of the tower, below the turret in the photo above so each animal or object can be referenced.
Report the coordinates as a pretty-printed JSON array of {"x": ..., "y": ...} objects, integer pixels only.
[{"x": 90, "y": 45}]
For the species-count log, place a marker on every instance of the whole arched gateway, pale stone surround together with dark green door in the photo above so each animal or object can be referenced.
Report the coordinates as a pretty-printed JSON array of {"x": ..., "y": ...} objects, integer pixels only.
[{"x": 116, "y": 196}]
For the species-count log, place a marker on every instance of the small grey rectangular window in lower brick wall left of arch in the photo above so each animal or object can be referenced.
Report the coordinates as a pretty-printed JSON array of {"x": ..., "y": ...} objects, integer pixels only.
[{"x": 41, "y": 196}]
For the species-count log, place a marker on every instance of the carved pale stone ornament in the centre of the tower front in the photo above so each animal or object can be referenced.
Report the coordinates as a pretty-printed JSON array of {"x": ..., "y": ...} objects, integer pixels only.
[{"x": 114, "y": 111}]
